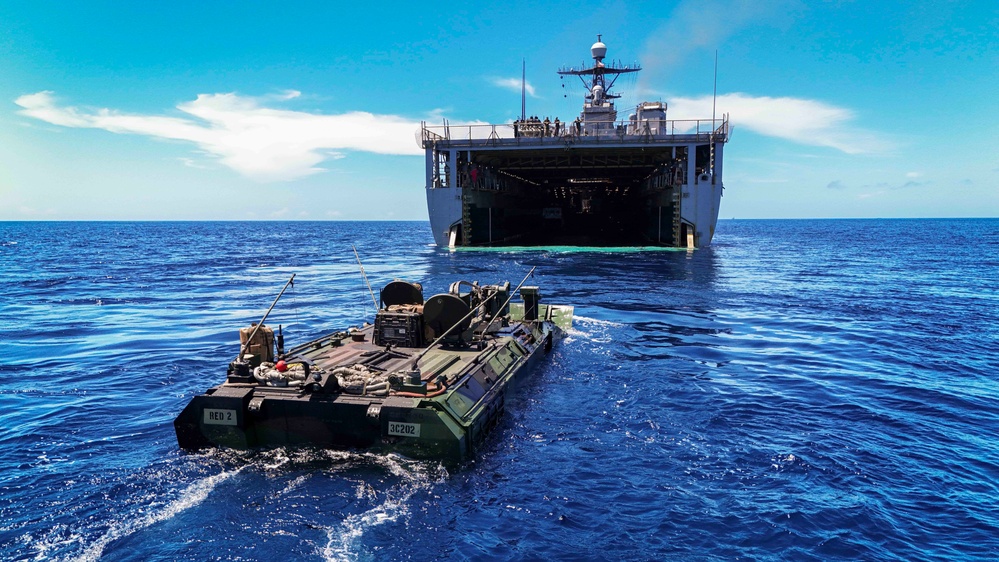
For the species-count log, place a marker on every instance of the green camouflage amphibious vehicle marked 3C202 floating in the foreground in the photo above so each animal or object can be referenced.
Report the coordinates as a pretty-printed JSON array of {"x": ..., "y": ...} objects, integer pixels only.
[{"x": 429, "y": 379}]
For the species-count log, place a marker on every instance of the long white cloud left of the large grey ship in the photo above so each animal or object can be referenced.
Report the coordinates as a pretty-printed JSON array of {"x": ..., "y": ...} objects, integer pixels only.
[{"x": 259, "y": 142}]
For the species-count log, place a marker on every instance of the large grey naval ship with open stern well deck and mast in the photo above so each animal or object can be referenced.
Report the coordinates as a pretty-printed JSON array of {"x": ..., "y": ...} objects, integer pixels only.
[{"x": 595, "y": 180}]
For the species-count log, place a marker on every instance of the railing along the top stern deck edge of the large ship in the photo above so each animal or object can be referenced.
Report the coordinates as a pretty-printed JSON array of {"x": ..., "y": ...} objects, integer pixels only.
[{"x": 535, "y": 133}]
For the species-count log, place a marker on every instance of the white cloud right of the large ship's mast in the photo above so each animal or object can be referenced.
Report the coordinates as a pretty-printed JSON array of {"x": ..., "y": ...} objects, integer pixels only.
[{"x": 800, "y": 120}]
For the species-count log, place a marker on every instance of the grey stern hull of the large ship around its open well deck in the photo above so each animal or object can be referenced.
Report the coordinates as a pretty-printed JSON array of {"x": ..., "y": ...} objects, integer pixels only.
[{"x": 649, "y": 190}]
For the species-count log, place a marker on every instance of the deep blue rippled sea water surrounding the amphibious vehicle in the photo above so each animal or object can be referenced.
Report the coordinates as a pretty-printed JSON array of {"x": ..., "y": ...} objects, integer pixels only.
[{"x": 802, "y": 390}]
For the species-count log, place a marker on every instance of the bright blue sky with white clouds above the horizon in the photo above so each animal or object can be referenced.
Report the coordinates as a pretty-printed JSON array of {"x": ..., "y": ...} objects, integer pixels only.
[{"x": 310, "y": 110}]
